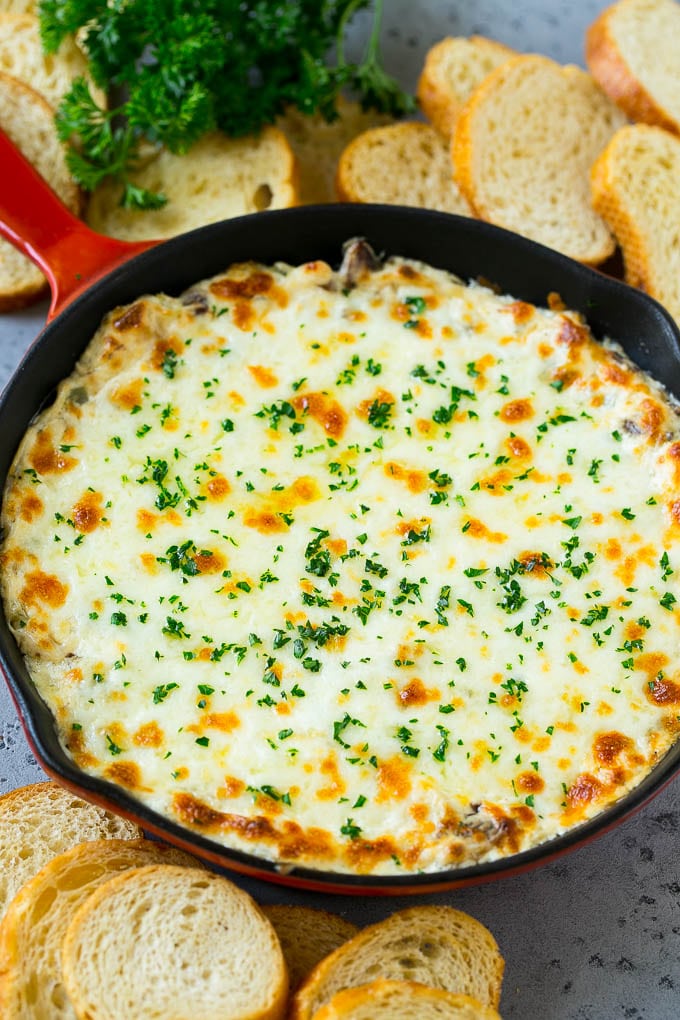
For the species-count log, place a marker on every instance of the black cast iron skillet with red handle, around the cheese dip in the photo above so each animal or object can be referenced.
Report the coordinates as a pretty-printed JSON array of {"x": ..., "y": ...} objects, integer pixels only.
[{"x": 73, "y": 256}]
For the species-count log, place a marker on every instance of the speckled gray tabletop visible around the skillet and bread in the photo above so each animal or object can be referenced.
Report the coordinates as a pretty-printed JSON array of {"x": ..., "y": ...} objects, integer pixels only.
[{"x": 597, "y": 936}]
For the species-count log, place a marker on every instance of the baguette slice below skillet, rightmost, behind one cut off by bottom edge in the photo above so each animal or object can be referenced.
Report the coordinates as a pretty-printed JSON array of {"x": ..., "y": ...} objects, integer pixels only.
[{"x": 439, "y": 947}]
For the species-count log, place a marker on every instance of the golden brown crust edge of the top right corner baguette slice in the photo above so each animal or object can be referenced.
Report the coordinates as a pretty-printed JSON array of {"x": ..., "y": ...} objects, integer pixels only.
[{"x": 610, "y": 69}]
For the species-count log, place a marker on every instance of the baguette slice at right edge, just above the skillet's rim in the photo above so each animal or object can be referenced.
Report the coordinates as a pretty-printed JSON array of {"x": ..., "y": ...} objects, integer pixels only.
[{"x": 637, "y": 190}]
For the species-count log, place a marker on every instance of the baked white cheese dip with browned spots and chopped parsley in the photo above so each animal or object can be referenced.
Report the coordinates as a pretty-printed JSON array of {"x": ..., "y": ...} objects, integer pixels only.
[{"x": 367, "y": 571}]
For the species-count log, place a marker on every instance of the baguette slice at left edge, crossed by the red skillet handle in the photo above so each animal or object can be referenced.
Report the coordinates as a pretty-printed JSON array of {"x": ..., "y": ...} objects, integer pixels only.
[{"x": 29, "y": 121}]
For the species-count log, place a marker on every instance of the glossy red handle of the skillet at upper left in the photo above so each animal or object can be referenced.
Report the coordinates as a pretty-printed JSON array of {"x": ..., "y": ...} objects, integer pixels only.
[{"x": 36, "y": 222}]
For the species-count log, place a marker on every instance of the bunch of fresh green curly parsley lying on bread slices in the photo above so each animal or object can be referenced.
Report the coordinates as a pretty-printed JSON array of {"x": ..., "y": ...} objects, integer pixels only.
[{"x": 186, "y": 68}]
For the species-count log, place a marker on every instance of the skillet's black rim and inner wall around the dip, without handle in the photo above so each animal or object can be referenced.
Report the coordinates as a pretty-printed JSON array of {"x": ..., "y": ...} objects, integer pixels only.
[{"x": 608, "y": 304}]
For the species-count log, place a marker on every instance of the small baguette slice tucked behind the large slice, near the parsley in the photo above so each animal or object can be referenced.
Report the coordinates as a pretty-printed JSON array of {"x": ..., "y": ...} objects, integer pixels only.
[{"x": 453, "y": 70}]
